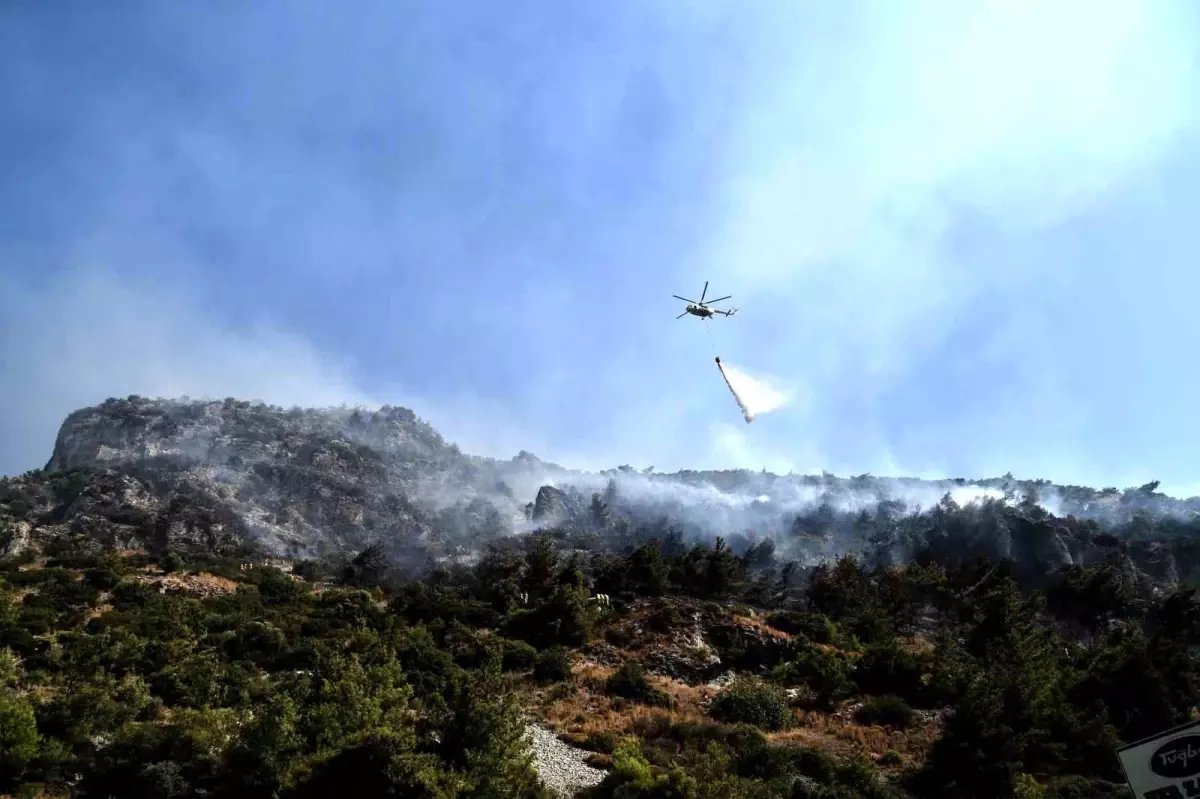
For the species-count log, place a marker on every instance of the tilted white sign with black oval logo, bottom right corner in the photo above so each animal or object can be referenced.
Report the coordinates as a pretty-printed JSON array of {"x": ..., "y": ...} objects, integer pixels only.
[{"x": 1167, "y": 766}]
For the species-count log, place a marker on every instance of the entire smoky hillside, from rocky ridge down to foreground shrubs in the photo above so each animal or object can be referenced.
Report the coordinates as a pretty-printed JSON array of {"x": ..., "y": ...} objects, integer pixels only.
[{"x": 227, "y": 599}]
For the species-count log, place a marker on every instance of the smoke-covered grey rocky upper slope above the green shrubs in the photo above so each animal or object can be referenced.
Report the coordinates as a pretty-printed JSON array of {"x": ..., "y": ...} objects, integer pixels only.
[{"x": 231, "y": 476}]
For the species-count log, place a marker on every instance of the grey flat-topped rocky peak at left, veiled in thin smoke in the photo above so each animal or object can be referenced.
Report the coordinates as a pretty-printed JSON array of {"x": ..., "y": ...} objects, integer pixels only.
[{"x": 226, "y": 476}]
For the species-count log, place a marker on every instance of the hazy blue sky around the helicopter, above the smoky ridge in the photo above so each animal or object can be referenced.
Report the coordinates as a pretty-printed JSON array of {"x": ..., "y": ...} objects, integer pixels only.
[{"x": 962, "y": 236}]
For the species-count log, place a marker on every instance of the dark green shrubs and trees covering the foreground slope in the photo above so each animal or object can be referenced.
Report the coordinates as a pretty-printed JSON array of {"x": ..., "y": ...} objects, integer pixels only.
[{"x": 279, "y": 687}]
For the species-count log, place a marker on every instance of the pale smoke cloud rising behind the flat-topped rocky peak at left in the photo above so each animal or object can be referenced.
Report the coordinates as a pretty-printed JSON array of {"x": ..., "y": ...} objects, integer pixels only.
[{"x": 85, "y": 337}]
